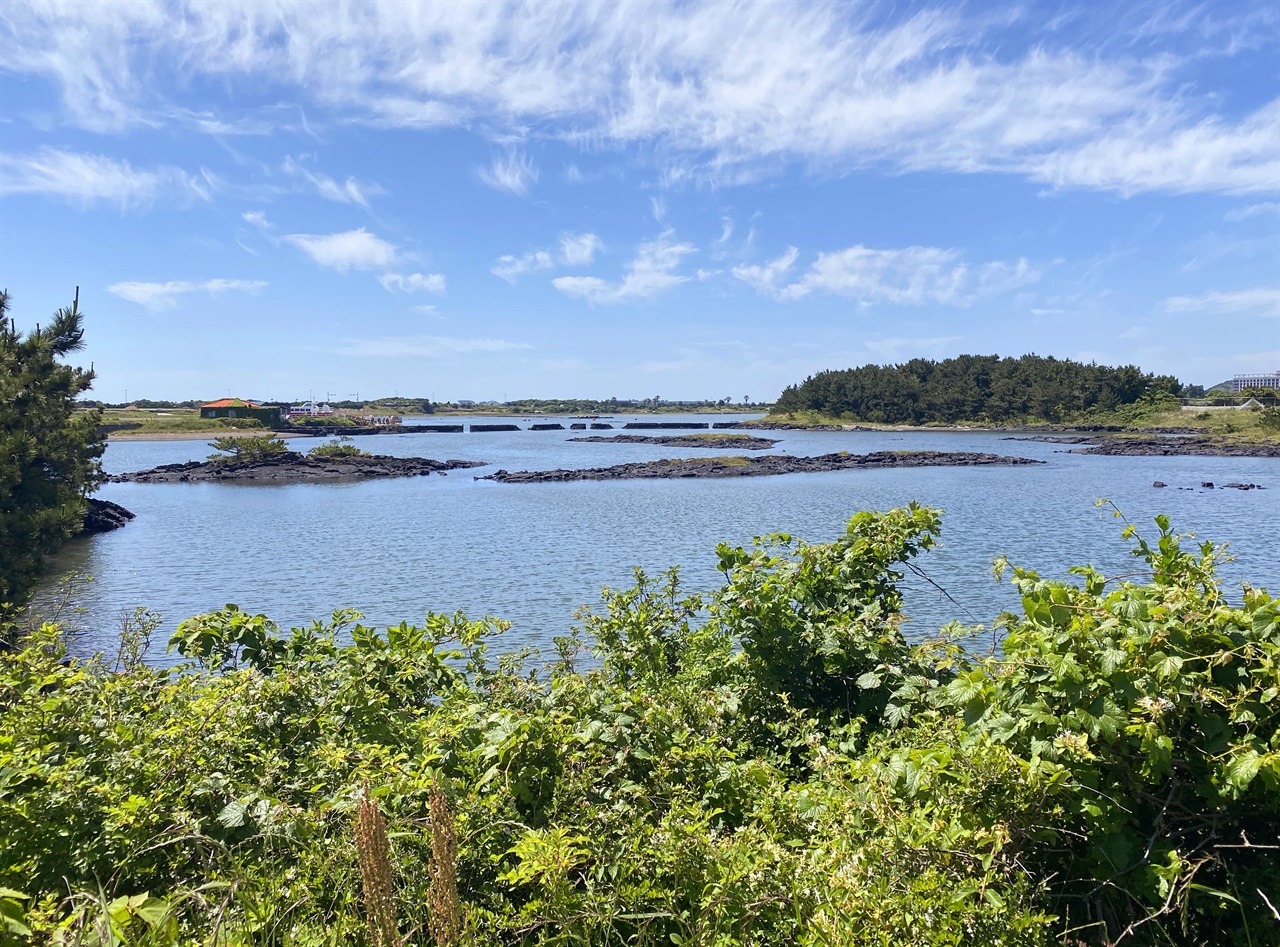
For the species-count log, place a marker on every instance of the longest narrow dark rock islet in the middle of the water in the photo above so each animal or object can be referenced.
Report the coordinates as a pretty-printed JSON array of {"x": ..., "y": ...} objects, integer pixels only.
[{"x": 769, "y": 465}]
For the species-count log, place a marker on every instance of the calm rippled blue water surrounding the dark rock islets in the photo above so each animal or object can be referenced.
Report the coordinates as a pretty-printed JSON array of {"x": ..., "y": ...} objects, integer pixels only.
[{"x": 533, "y": 553}]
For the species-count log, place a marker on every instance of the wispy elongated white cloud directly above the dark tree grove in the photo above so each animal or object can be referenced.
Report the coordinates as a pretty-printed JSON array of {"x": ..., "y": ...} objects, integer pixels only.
[{"x": 912, "y": 276}]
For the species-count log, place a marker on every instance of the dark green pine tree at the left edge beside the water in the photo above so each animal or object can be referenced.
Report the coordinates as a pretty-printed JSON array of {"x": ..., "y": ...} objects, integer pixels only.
[{"x": 51, "y": 449}]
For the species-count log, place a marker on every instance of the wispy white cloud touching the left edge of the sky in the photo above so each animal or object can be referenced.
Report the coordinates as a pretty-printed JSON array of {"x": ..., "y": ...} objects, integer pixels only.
[{"x": 89, "y": 180}]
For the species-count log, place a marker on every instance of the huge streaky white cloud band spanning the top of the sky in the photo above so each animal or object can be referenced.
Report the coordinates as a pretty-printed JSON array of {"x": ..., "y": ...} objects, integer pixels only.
[{"x": 726, "y": 92}]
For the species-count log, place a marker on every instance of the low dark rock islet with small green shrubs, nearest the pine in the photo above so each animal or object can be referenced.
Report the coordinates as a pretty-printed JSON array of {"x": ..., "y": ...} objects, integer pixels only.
[{"x": 291, "y": 469}]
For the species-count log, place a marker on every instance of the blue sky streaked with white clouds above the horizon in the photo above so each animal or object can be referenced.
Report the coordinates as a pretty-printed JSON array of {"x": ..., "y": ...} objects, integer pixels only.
[{"x": 679, "y": 200}]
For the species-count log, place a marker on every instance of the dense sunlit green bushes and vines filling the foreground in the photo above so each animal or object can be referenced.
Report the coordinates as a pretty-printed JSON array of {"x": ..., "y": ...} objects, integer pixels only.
[{"x": 771, "y": 763}]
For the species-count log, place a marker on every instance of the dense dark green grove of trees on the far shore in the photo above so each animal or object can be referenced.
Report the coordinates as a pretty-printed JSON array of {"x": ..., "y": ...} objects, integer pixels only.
[{"x": 975, "y": 388}]
